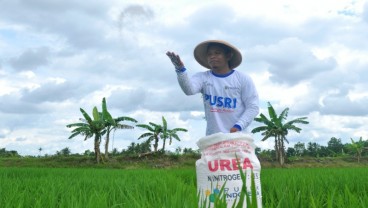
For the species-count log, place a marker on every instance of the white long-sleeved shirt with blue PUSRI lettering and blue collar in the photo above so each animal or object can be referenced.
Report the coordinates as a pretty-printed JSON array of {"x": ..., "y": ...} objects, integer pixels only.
[{"x": 229, "y": 100}]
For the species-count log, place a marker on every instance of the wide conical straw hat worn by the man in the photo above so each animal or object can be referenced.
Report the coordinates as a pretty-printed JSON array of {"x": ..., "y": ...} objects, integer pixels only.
[{"x": 200, "y": 53}]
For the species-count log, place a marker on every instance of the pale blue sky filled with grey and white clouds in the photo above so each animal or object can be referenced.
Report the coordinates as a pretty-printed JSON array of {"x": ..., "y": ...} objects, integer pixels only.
[{"x": 58, "y": 56}]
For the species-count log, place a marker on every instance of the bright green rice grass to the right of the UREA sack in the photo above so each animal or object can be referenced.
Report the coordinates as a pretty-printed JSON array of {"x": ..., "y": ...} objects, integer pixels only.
[{"x": 315, "y": 187}]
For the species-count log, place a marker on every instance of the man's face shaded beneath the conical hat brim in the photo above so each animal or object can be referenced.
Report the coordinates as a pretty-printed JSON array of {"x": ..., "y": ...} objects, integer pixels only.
[{"x": 217, "y": 58}]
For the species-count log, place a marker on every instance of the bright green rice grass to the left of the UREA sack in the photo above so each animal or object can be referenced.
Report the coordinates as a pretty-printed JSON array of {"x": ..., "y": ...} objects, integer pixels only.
[{"x": 55, "y": 187}]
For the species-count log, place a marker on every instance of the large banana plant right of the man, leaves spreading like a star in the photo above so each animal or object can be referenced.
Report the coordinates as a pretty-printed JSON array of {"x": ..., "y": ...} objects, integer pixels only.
[{"x": 274, "y": 127}]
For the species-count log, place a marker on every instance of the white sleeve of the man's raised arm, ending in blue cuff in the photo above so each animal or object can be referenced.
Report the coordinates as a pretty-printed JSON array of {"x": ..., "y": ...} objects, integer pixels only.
[{"x": 190, "y": 86}]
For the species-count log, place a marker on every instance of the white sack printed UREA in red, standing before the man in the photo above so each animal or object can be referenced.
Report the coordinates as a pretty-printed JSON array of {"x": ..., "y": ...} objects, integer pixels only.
[{"x": 218, "y": 164}]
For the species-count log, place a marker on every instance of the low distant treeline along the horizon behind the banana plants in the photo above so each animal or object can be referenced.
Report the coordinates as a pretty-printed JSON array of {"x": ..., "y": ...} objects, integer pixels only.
[{"x": 334, "y": 148}]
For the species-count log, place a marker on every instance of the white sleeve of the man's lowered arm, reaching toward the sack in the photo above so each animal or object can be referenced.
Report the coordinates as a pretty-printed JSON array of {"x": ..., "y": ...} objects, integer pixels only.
[{"x": 251, "y": 103}]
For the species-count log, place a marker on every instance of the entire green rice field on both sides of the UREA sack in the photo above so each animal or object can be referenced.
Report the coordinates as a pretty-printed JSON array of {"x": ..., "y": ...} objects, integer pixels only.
[{"x": 171, "y": 188}]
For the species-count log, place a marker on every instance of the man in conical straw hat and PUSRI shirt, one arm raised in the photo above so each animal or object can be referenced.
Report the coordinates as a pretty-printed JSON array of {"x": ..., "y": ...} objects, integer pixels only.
[{"x": 230, "y": 97}]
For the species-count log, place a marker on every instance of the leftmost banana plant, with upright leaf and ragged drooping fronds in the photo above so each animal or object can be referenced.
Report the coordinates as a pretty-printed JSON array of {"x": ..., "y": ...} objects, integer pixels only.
[{"x": 93, "y": 127}]
